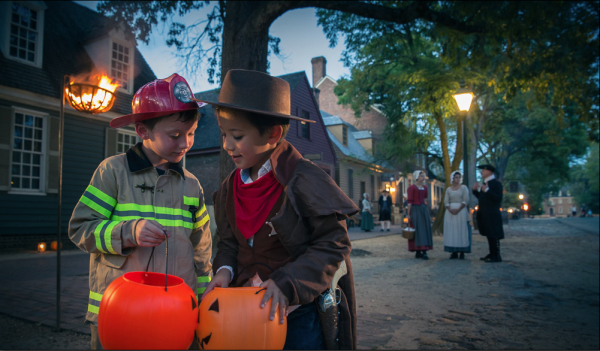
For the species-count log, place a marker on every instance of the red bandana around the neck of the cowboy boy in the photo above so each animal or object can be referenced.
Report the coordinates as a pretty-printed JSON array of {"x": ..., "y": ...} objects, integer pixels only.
[{"x": 254, "y": 201}]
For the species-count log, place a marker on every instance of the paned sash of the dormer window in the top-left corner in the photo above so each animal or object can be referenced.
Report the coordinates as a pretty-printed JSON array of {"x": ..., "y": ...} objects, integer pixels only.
[{"x": 24, "y": 36}]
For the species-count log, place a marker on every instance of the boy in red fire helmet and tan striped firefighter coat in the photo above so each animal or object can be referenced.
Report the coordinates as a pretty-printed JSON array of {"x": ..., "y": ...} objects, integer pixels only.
[{"x": 138, "y": 200}]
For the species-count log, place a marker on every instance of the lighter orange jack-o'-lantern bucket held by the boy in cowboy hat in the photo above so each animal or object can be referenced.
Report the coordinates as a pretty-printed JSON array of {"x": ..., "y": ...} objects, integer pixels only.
[{"x": 231, "y": 319}]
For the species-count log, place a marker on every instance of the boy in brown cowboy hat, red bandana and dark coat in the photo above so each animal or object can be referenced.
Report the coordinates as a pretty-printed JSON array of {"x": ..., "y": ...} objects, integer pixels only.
[{"x": 280, "y": 218}]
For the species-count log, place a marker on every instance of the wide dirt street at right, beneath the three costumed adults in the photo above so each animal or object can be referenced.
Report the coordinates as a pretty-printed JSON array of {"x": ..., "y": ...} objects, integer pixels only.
[{"x": 543, "y": 296}]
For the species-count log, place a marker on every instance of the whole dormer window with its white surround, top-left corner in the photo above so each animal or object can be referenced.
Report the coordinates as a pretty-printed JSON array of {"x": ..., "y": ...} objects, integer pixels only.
[{"x": 24, "y": 32}]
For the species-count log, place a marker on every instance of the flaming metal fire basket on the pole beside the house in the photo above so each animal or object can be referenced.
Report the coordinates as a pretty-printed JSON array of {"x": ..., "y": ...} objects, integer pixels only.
[{"x": 92, "y": 98}]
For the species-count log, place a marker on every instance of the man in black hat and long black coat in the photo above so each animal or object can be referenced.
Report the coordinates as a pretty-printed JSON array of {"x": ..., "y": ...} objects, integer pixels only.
[{"x": 489, "y": 217}]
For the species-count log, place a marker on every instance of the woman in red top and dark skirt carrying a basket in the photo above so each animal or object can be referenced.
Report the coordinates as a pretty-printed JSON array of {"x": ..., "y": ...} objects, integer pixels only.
[{"x": 418, "y": 217}]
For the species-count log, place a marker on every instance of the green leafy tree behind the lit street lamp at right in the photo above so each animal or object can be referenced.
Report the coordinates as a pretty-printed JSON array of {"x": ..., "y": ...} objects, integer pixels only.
[{"x": 521, "y": 46}]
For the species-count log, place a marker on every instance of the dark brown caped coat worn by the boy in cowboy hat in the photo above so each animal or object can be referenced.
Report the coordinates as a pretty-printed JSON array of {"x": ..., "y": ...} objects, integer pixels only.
[{"x": 310, "y": 224}]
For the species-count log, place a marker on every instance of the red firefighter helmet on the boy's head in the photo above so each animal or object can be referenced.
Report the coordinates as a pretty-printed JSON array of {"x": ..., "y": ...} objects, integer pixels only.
[{"x": 161, "y": 97}]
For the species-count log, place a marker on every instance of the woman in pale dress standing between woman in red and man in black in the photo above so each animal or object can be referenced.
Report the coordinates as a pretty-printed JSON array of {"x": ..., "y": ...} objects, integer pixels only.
[{"x": 457, "y": 236}]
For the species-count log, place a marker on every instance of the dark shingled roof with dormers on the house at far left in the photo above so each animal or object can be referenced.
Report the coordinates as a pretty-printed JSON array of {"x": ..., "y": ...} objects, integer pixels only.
[{"x": 67, "y": 27}]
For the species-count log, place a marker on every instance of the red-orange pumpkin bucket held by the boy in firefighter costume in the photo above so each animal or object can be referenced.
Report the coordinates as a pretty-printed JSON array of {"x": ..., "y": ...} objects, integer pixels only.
[{"x": 137, "y": 311}]
